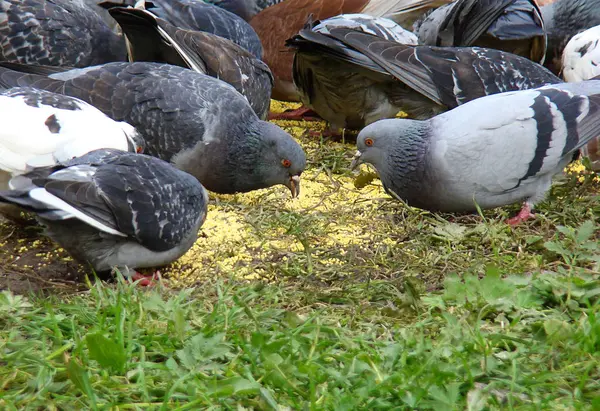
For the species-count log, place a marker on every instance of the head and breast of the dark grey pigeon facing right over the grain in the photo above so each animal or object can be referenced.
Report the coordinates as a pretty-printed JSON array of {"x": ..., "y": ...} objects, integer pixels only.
[{"x": 255, "y": 156}]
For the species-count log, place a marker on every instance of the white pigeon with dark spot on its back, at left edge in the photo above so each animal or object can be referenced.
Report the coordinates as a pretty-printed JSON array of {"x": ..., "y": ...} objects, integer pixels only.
[{"x": 40, "y": 129}]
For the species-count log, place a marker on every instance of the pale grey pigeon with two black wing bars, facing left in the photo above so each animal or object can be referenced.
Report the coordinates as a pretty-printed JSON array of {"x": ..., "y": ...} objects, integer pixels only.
[{"x": 493, "y": 151}]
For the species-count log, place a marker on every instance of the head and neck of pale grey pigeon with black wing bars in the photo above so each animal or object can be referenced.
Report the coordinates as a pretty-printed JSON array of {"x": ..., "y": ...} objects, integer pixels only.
[{"x": 394, "y": 147}]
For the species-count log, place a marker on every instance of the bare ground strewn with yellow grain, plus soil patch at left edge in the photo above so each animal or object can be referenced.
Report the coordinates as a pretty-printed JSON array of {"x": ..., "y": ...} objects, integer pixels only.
[{"x": 334, "y": 233}]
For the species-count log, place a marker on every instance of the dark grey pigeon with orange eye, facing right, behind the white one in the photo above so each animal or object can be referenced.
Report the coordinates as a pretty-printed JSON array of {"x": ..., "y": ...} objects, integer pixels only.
[{"x": 200, "y": 124}]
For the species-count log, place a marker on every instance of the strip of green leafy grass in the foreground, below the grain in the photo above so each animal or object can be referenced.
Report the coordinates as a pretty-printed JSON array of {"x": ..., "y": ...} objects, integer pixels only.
[{"x": 487, "y": 340}]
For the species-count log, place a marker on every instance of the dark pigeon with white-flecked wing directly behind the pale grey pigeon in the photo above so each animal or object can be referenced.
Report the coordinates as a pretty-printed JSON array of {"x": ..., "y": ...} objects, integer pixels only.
[{"x": 357, "y": 75}]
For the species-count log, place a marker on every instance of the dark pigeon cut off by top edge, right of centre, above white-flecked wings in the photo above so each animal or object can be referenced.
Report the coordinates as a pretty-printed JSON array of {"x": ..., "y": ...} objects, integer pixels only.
[{"x": 515, "y": 26}]
